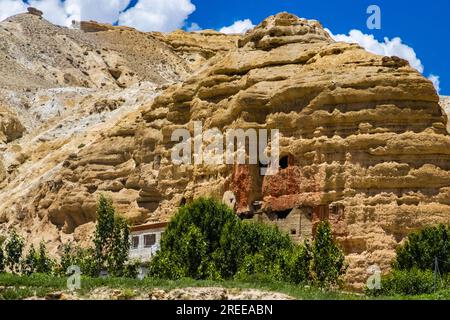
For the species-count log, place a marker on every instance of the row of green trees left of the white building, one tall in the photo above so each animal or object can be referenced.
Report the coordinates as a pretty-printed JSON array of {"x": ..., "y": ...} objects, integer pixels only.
[{"x": 109, "y": 251}]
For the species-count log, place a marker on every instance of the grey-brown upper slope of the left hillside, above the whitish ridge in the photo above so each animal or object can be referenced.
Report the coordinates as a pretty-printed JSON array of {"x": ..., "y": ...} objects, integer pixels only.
[{"x": 35, "y": 54}]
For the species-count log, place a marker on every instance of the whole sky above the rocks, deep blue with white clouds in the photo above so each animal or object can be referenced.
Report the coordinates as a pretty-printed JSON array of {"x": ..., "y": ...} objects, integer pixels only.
[{"x": 414, "y": 30}]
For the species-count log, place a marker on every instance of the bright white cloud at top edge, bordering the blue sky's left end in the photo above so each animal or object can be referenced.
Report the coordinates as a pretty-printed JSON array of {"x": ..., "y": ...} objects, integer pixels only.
[{"x": 157, "y": 15}]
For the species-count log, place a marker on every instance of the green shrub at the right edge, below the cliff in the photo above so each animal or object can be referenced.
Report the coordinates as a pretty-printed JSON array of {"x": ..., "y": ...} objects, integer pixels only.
[{"x": 423, "y": 247}]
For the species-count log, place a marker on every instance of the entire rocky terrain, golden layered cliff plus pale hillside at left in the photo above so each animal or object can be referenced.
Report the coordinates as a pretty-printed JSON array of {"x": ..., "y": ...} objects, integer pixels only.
[{"x": 364, "y": 136}]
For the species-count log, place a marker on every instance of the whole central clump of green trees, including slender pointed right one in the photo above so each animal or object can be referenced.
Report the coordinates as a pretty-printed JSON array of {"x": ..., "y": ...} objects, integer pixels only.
[{"x": 206, "y": 240}]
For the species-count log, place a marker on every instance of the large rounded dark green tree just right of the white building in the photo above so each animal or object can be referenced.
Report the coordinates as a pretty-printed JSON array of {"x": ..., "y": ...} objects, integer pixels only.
[{"x": 191, "y": 244}]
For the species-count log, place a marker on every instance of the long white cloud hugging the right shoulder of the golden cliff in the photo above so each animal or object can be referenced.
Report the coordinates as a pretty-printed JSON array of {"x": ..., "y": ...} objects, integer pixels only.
[{"x": 390, "y": 47}]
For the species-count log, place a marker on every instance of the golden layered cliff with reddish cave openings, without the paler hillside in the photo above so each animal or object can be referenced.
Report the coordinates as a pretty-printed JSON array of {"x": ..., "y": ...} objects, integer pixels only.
[{"x": 364, "y": 139}]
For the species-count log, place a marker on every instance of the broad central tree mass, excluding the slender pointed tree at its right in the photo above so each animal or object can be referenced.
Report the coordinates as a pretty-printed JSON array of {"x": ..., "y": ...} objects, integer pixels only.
[{"x": 206, "y": 240}]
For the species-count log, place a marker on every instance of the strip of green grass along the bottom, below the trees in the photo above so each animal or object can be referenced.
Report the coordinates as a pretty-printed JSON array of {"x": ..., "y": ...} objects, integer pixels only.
[{"x": 14, "y": 287}]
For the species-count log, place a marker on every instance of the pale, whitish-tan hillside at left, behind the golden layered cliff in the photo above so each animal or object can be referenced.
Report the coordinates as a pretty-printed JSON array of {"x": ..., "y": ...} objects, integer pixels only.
[{"x": 61, "y": 88}]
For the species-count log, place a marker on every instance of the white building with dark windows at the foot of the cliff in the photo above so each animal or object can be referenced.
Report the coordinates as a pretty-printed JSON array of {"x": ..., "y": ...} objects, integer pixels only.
[{"x": 145, "y": 240}]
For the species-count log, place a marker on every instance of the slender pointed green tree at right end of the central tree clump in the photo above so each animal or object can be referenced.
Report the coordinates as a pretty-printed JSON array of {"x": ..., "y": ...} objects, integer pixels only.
[{"x": 327, "y": 258}]
